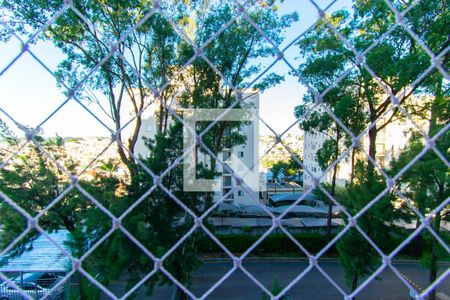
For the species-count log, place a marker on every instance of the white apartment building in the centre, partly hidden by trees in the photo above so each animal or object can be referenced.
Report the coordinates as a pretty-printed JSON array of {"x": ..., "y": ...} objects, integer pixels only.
[{"x": 241, "y": 159}]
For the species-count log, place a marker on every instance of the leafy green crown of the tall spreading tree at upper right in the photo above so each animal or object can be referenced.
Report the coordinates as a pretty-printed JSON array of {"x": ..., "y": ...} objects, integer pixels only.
[{"x": 397, "y": 60}]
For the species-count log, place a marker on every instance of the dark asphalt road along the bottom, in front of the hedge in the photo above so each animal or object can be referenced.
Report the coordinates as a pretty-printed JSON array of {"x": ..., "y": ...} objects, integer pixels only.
[{"x": 313, "y": 286}]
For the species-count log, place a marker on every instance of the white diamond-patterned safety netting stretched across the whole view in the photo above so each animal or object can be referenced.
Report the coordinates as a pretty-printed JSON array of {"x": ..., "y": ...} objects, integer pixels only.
[{"x": 399, "y": 19}]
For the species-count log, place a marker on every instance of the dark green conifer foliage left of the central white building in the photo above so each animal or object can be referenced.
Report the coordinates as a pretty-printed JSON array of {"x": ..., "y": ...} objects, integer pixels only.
[{"x": 165, "y": 221}]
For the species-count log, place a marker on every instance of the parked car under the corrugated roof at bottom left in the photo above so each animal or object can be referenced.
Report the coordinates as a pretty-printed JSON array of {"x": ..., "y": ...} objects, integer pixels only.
[{"x": 35, "y": 285}]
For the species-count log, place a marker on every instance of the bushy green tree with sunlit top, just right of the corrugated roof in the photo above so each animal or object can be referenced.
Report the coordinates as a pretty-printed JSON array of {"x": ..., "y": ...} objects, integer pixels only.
[{"x": 93, "y": 224}]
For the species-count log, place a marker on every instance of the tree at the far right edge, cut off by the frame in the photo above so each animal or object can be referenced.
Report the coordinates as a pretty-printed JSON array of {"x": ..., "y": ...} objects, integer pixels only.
[{"x": 427, "y": 180}]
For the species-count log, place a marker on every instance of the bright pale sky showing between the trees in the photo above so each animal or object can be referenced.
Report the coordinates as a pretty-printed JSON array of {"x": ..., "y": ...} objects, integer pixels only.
[{"x": 29, "y": 93}]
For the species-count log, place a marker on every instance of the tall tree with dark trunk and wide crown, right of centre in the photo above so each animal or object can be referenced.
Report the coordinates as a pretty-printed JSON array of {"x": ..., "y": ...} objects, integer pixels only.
[{"x": 397, "y": 60}]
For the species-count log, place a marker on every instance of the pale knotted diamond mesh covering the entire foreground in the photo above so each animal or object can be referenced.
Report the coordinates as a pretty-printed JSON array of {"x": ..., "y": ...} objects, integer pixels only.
[{"x": 116, "y": 59}]
